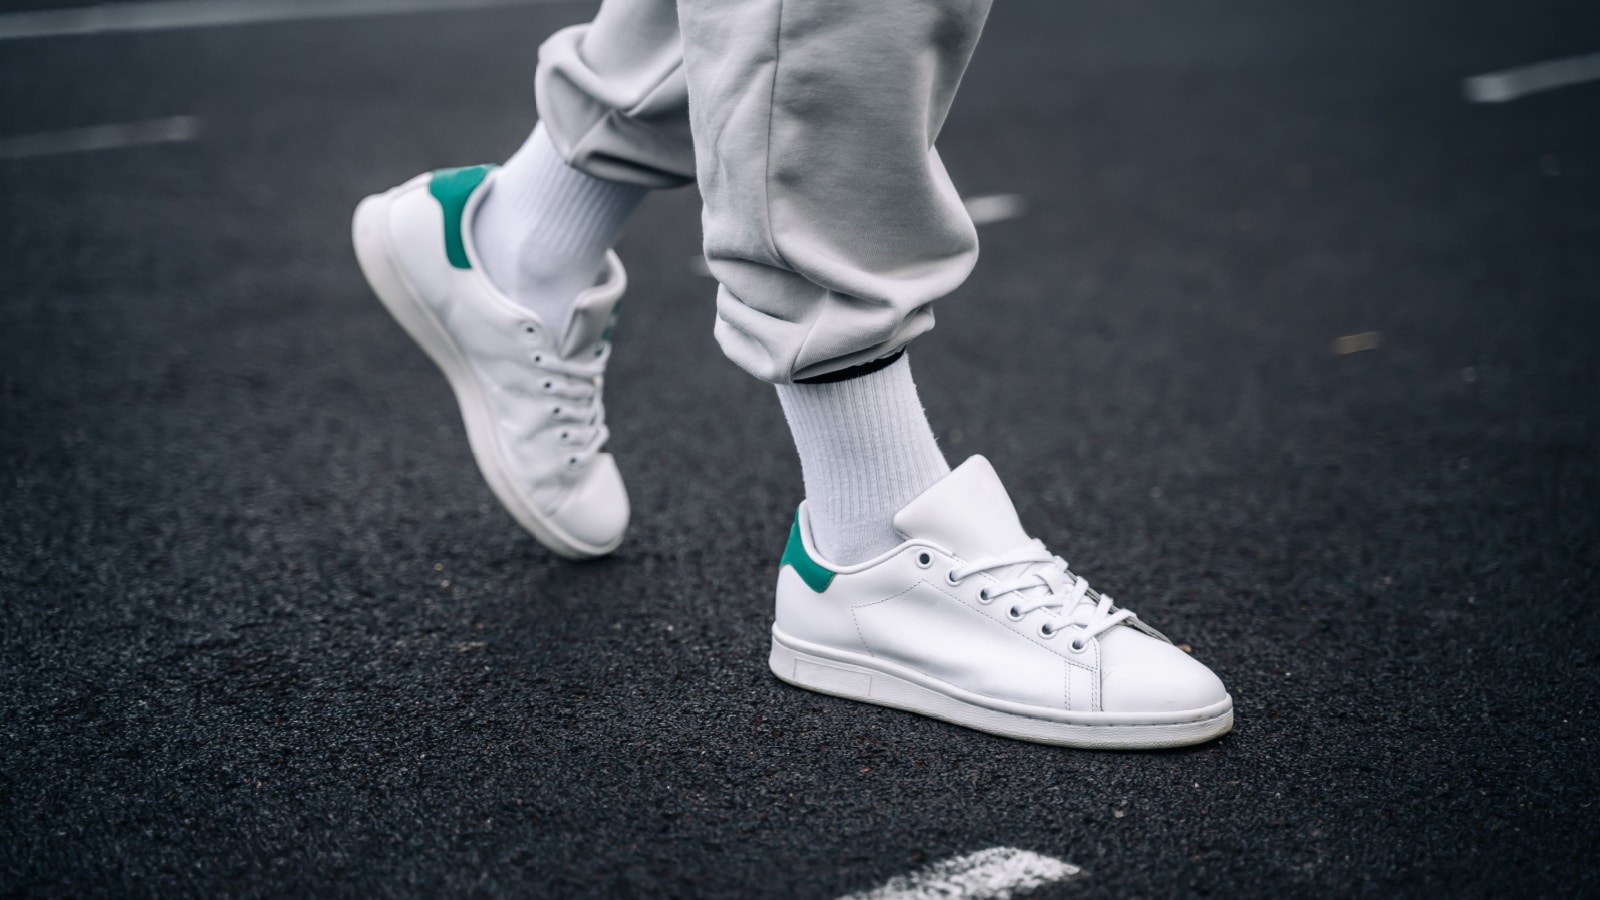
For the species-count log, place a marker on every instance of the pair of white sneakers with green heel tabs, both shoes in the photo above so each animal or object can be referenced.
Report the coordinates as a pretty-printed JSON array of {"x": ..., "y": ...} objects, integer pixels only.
[{"x": 967, "y": 621}]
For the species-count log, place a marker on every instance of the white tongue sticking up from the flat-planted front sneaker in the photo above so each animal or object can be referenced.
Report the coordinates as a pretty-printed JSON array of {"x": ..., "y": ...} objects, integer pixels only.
[{"x": 967, "y": 513}]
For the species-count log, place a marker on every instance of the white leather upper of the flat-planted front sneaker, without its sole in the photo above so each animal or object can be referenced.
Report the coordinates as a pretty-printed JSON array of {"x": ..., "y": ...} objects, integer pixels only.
[{"x": 972, "y": 601}]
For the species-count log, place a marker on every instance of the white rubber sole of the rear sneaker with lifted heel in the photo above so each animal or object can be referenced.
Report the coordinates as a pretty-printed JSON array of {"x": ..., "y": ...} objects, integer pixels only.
[{"x": 370, "y": 235}]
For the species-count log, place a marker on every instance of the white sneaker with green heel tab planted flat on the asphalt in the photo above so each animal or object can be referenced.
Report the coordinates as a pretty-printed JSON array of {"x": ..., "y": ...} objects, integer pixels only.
[{"x": 975, "y": 624}]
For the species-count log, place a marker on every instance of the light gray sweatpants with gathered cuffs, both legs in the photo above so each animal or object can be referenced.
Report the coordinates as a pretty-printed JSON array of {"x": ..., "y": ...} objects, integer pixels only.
[{"x": 830, "y": 220}]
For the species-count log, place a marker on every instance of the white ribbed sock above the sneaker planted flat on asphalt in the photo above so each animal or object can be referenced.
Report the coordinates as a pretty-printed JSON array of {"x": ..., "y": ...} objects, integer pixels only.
[{"x": 866, "y": 451}]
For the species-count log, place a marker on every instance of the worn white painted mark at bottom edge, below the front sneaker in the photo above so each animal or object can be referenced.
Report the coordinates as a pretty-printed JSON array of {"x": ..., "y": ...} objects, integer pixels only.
[{"x": 994, "y": 874}]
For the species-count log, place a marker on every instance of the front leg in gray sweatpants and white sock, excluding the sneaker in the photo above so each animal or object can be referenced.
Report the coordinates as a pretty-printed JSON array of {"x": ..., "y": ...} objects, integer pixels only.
[{"x": 833, "y": 227}]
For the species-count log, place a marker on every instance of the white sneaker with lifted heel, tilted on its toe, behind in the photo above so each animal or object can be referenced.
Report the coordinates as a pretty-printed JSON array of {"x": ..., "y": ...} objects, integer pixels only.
[{"x": 529, "y": 393}]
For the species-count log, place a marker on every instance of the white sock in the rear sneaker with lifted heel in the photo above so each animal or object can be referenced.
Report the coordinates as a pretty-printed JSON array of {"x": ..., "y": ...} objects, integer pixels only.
[{"x": 545, "y": 228}]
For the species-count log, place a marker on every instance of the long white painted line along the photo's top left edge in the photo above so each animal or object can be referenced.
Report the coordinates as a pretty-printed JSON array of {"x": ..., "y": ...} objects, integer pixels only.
[{"x": 162, "y": 15}]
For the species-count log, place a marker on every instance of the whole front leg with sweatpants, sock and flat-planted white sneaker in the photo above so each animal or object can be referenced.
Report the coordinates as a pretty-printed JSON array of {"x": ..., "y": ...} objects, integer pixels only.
[{"x": 833, "y": 227}]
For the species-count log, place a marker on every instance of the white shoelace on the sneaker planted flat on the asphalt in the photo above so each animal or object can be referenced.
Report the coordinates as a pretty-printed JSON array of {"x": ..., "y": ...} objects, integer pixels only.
[{"x": 1046, "y": 584}]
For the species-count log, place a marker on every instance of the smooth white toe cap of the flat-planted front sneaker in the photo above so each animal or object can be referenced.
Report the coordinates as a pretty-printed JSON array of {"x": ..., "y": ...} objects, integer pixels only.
[{"x": 1143, "y": 675}]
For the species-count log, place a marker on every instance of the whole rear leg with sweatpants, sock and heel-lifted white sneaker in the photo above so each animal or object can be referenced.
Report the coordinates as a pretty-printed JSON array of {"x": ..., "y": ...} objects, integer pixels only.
[{"x": 506, "y": 281}]
